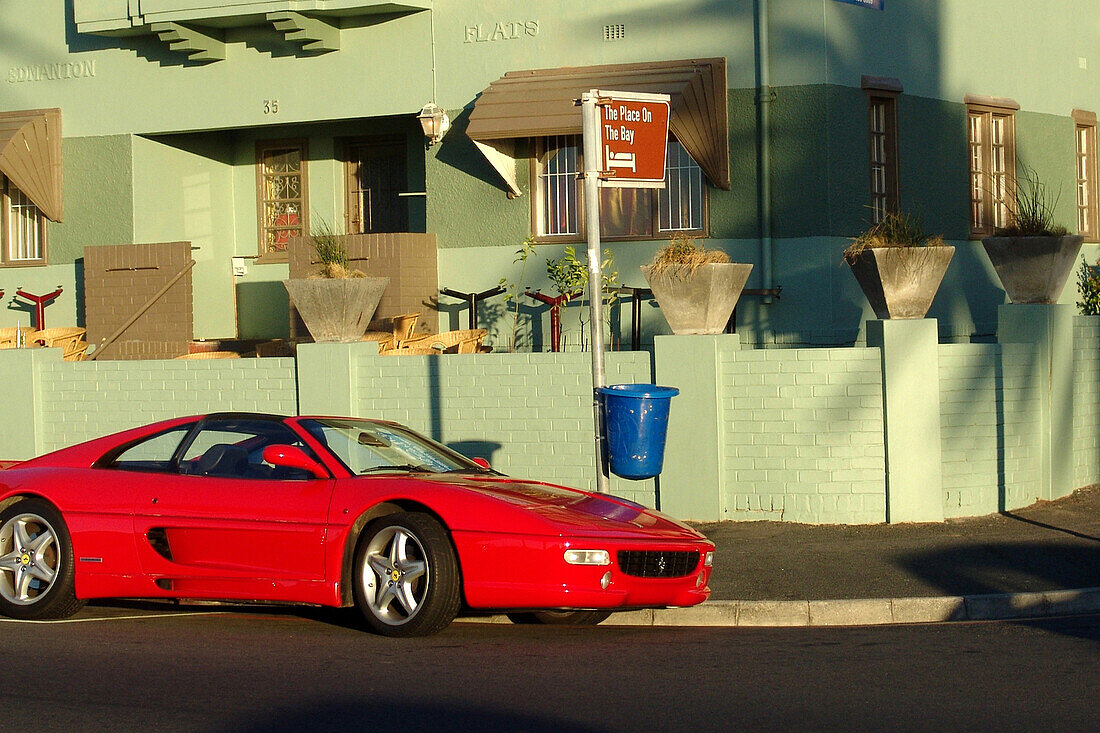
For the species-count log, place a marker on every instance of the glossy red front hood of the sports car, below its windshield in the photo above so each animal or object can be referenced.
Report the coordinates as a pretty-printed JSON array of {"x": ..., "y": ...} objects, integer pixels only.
[{"x": 575, "y": 511}]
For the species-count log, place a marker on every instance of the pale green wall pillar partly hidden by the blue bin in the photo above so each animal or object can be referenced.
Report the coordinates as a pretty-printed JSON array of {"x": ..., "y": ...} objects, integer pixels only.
[{"x": 690, "y": 486}]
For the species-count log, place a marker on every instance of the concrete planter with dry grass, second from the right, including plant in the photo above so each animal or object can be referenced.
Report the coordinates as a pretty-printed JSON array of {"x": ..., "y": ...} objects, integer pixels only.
[{"x": 898, "y": 267}]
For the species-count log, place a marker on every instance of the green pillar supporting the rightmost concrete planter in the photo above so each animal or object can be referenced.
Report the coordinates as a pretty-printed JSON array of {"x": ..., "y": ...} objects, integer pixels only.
[{"x": 1050, "y": 329}]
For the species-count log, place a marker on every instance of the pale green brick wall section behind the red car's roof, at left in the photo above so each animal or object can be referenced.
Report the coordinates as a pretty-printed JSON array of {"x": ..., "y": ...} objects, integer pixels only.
[{"x": 86, "y": 400}]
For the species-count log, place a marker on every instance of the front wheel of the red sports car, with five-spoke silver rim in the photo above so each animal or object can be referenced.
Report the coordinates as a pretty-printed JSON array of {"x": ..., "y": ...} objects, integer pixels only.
[{"x": 406, "y": 576}]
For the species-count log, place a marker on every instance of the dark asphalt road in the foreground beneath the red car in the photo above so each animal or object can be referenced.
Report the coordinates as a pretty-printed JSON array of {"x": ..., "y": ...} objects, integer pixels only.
[{"x": 129, "y": 669}]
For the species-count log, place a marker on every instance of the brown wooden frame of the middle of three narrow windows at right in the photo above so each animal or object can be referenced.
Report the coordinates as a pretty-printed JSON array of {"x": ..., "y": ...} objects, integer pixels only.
[{"x": 987, "y": 110}]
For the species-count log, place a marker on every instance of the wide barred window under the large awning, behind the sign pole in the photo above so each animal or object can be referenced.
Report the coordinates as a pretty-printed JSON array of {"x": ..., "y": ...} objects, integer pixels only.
[{"x": 626, "y": 213}]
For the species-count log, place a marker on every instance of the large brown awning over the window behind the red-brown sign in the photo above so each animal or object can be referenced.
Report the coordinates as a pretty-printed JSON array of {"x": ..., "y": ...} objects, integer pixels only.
[{"x": 540, "y": 103}]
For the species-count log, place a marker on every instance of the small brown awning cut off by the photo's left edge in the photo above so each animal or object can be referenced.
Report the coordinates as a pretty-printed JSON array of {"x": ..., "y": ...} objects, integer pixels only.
[{"x": 31, "y": 157}]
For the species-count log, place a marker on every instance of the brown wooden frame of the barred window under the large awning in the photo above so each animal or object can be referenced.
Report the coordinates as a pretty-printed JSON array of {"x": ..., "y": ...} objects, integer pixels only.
[{"x": 540, "y": 149}]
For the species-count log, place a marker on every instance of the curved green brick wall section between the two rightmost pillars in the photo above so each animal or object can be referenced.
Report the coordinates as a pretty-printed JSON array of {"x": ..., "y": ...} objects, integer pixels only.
[{"x": 989, "y": 418}]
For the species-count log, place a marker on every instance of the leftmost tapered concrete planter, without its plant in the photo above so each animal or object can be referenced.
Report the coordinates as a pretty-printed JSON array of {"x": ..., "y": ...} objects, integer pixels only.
[{"x": 337, "y": 310}]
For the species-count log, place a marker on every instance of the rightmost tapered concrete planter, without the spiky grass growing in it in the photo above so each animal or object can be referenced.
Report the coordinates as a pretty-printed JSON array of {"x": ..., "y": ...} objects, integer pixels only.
[{"x": 1033, "y": 269}]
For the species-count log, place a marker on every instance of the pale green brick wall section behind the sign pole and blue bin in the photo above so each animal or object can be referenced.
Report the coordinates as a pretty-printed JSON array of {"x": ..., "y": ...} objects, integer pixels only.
[{"x": 531, "y": 415}]
